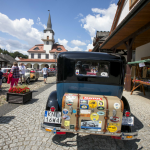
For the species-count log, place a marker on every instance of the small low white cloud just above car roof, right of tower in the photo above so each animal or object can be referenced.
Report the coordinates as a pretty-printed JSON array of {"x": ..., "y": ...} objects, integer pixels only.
[{"x": 64, "y": 42}]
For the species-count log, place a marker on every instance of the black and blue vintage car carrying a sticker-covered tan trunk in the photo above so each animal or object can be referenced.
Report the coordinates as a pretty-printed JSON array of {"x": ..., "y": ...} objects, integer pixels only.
[{"x": 89, "y": 103}]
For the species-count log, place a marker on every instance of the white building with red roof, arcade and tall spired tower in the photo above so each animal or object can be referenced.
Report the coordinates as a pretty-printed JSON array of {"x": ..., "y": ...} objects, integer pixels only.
[{"x": 43, "y": 54}]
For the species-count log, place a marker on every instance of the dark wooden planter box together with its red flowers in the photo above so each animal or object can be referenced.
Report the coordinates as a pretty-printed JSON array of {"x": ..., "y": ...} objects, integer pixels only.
[{"x": 19, "y": 94}]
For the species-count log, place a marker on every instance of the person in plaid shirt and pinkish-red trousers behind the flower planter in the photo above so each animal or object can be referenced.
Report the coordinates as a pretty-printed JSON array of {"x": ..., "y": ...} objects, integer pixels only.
[{"x": 15, "y": 77}]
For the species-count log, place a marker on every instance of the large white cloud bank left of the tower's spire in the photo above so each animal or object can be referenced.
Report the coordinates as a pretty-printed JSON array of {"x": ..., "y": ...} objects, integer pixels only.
[{"x": 21, "y": 28}]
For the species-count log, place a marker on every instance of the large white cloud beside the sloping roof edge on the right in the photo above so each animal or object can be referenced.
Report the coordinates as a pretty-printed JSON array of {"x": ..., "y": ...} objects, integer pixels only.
[{"x": 101, "y": 21}]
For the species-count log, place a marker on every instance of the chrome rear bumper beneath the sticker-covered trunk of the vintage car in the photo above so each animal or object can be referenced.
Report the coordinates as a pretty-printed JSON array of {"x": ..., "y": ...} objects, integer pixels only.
[{"x": 122, "y": 134}]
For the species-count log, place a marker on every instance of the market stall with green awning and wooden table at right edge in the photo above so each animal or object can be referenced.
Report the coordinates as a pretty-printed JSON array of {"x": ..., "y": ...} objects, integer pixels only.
[{"x": 141, "y": 71}]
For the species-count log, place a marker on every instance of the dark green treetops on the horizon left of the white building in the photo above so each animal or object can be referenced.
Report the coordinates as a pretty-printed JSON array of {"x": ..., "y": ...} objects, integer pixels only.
[{"x": 13, "y": 54}]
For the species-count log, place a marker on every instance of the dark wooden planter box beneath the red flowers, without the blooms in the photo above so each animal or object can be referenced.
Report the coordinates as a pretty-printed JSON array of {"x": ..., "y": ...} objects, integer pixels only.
[{"x": 19, "y": 98}]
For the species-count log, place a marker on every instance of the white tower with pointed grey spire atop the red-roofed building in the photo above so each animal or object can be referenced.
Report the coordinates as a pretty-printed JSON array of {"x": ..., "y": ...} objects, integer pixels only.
[{"x": 48, "y": 36}]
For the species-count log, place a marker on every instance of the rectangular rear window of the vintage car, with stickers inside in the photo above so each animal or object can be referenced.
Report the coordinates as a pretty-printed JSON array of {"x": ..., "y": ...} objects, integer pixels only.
[{"x": 92, "y": 68}]
